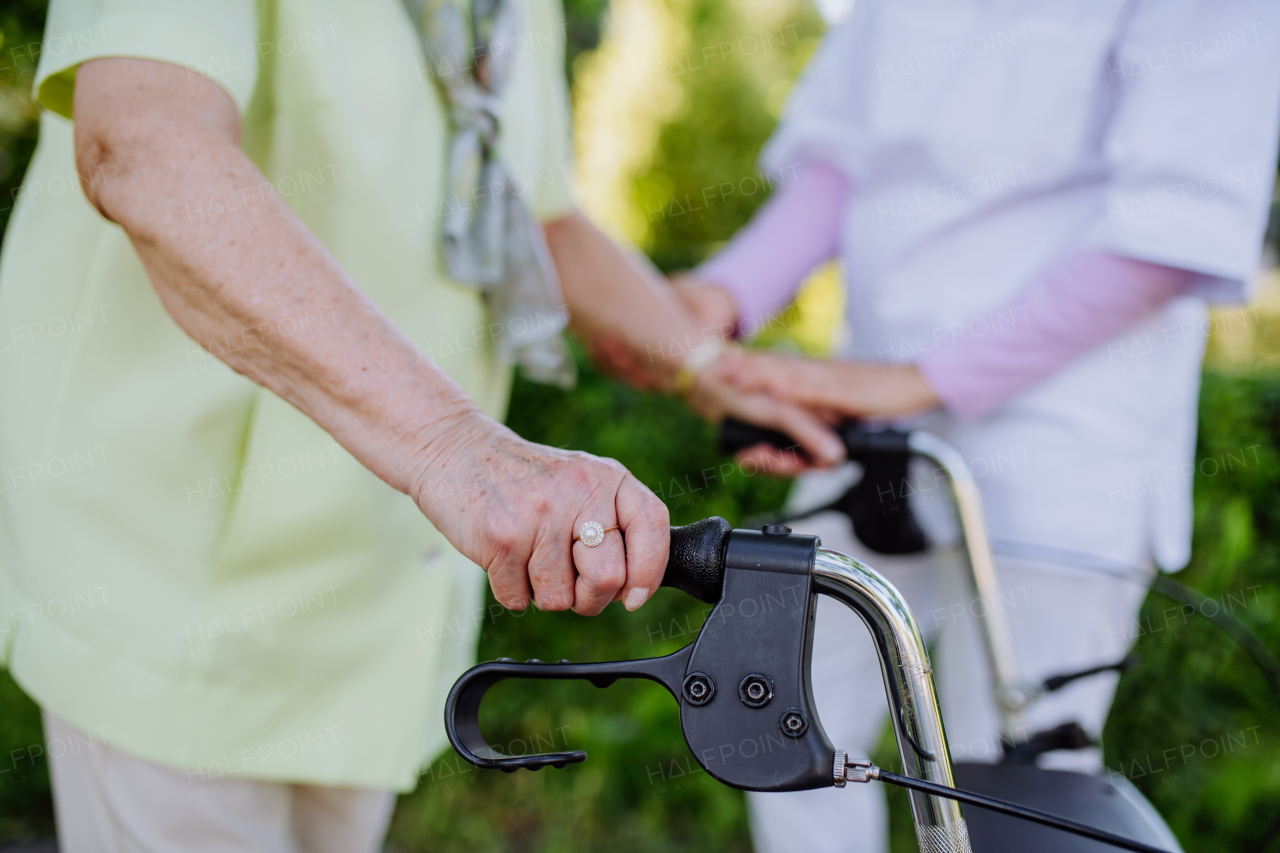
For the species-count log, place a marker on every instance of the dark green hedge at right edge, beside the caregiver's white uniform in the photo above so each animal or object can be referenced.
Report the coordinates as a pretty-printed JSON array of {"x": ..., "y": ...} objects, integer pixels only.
[{"x": 1195, "y": 726}]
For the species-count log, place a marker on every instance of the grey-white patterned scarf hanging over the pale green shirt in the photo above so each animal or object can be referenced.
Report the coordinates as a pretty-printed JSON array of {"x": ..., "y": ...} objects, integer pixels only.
[{"x": 491, "y": 240}]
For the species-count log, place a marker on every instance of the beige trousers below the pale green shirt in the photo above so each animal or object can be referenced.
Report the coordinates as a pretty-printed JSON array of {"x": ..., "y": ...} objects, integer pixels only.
[{"x": 109, "y": 802}]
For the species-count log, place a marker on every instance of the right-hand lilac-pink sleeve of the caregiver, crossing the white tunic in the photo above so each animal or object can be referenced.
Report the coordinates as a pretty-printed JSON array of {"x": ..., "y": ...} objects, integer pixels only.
[{"x": 1069, "y": 311}]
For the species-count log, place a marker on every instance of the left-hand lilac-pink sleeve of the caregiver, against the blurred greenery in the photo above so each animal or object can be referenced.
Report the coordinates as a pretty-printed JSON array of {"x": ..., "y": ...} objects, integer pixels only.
[{"x": 793, "y": 234}]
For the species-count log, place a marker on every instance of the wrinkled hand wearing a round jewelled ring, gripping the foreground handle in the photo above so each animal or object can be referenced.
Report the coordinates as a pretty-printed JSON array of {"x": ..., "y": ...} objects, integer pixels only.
[{"x": 514, "y": 508}]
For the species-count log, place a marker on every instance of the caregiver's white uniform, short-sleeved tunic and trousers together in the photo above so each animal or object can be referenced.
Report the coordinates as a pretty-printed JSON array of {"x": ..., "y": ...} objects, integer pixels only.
[{"x": 985, "y": 142}]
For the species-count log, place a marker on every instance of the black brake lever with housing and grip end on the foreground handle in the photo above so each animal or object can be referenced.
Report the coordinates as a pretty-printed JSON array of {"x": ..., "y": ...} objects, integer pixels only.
[{"x": 743, "y": 687}]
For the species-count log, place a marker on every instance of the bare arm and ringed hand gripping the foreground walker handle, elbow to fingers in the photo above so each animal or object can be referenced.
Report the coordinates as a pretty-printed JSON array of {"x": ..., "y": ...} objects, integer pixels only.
[{"x": 156, "y": 143}]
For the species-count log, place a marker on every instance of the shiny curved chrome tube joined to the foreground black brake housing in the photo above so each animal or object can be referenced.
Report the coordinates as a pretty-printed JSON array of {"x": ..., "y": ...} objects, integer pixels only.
[{"x": 922, "y": 743}]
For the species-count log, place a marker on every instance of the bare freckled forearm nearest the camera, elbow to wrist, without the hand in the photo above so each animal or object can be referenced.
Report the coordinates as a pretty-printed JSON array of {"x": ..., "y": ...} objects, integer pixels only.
[{"x": 237, "y": 276}]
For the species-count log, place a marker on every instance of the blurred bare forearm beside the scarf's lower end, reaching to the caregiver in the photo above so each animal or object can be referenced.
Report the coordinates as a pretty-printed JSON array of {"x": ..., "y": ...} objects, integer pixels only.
[{"x": 612, "y": 291}]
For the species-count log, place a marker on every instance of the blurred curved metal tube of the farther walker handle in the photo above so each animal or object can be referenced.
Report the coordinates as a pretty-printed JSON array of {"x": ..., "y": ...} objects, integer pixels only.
[{"x": 1012, "y": 695}]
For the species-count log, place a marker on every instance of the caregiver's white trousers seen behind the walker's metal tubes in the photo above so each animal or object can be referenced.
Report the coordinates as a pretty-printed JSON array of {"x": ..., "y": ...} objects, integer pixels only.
[{"x": 1063, "y": 621}]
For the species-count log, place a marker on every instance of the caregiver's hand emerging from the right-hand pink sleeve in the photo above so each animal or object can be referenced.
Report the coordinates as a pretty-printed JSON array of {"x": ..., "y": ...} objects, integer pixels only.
[{"x": 845, "y": 389}]
